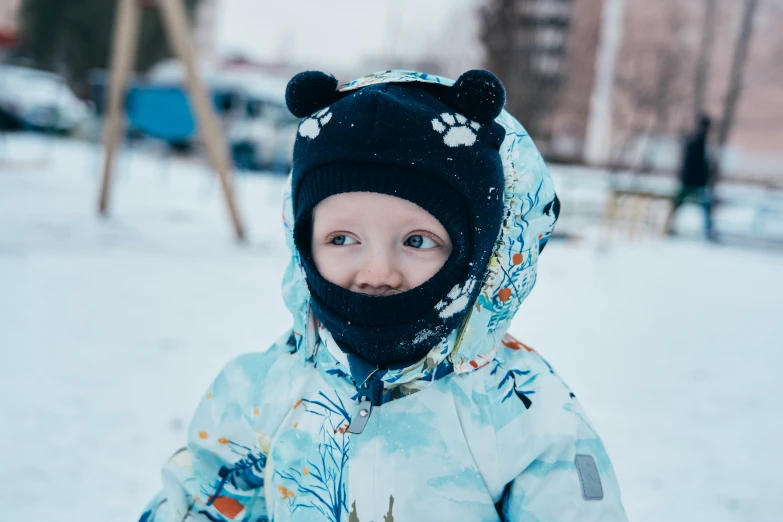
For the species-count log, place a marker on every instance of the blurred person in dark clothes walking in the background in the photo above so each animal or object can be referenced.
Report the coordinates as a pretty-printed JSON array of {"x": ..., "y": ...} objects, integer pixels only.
[{"x": 697, "y": 178}]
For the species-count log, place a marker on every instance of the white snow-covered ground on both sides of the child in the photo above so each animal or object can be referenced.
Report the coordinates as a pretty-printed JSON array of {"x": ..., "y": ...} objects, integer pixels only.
[{"x": 111, "y": 329}]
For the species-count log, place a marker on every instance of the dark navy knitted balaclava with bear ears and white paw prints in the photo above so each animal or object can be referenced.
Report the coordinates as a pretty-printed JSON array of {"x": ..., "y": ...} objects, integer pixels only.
[{"x": 430, "y": 144}]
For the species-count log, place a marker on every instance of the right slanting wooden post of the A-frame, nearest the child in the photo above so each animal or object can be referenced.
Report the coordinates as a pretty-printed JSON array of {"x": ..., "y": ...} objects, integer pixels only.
[{"x": 176, "y": 23}]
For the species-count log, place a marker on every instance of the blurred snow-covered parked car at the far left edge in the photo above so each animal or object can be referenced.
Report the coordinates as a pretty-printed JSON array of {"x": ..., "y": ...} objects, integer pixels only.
[{"x": 38, "y": 100}]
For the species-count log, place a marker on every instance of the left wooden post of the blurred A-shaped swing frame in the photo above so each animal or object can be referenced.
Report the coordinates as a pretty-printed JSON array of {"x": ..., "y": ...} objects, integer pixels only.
[{"x": 126, "y": 35}]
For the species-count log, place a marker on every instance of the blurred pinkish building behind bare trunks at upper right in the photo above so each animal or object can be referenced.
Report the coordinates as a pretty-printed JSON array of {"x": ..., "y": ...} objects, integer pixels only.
[{"x": 653, "y": 92}]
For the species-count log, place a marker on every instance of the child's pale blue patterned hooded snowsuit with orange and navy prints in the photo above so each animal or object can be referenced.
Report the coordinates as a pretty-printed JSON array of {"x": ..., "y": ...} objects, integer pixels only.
[{"x": 482, "y": 430}]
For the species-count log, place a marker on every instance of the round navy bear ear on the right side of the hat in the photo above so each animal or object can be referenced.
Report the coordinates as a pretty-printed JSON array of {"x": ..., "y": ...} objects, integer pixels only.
[{"x": 479, "y": 95}]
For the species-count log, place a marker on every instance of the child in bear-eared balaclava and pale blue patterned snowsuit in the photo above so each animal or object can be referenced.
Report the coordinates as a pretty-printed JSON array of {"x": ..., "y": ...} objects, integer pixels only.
[{"x": 416, "y": 213}]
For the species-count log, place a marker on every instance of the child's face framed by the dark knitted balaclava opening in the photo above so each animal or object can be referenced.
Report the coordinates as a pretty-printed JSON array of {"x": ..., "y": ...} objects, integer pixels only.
[{"x": 376, "y": 244}]
